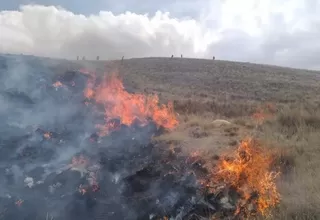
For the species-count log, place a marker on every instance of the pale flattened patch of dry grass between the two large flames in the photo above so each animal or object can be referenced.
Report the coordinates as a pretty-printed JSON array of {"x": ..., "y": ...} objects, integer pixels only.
[{"x": 204, "y": 133}]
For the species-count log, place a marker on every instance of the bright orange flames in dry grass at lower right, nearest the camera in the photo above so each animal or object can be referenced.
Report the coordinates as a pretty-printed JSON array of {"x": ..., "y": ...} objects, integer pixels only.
[{"x": 249, "y": 173}]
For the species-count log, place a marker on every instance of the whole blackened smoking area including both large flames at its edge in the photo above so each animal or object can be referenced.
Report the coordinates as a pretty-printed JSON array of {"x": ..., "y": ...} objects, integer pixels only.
[{"x": 77, "y": 145}]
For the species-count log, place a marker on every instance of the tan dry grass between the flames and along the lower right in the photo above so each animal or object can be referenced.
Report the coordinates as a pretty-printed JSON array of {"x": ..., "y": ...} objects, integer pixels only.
[{"x": 294, "y": 131}]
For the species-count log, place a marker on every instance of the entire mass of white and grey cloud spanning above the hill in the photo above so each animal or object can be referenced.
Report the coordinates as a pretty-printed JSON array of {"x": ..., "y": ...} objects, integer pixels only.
[{"x": 265, "y": 31}]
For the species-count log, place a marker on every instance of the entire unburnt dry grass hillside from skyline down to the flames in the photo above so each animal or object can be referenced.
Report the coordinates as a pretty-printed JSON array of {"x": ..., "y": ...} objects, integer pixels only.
[{"x": 204, "y": 91}]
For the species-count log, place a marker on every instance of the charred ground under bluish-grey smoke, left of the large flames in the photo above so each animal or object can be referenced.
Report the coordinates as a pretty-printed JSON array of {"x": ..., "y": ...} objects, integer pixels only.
[{"x": 54, "y": 165}]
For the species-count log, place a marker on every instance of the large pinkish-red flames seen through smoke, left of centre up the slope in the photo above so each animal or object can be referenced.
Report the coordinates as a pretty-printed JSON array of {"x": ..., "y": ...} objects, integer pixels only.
[{"x": 127, "y": 107}]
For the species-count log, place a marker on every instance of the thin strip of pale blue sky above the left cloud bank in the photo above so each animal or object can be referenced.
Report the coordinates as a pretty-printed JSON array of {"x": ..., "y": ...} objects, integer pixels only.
[{"x": 117, "y": 6}]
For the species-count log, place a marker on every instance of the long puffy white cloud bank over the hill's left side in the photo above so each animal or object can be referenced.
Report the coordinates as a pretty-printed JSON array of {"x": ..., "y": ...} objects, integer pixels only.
[{"x": 52, "y": 31}]
